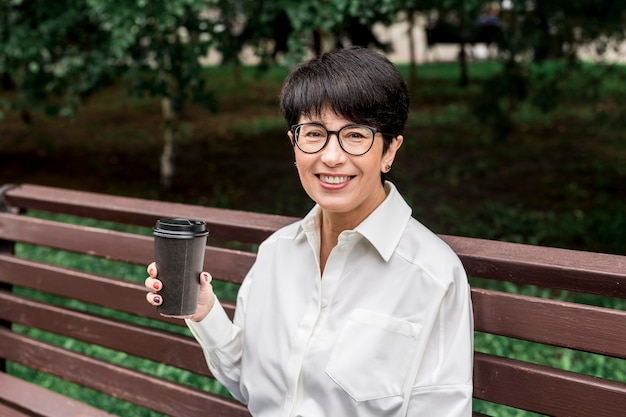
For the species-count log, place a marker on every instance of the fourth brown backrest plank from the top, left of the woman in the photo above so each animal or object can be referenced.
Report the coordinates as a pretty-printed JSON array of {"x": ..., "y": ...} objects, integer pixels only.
[{"x": 159, "y": 346}]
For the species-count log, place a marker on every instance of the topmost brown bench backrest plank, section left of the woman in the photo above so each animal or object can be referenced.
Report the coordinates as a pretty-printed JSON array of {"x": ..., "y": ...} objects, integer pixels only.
[{"x": 223, "y": 223}]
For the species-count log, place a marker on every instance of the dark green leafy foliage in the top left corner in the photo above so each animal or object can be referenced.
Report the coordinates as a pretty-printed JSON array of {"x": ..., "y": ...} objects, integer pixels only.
[{"x": 54, "y": 54}]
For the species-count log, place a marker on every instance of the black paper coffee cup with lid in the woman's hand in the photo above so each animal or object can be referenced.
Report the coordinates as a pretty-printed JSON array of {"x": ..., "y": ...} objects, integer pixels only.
[{"x": 179, "y": 246}]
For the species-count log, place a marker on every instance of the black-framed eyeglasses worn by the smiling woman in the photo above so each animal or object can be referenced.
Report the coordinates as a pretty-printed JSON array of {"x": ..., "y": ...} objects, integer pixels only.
[{"x": 353, "y": 139}]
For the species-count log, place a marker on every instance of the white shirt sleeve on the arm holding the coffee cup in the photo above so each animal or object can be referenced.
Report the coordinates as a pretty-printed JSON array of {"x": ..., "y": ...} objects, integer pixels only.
[{"x": 222, "y": 342}]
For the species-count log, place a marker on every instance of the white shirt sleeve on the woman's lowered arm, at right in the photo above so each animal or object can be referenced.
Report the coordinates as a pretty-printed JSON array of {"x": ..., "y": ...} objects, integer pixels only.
[{"x": 450, "y": 394}]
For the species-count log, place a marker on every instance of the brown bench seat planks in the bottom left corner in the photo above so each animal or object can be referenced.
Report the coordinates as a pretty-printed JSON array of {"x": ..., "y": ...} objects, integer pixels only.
[{"x": 23, "y": 399}]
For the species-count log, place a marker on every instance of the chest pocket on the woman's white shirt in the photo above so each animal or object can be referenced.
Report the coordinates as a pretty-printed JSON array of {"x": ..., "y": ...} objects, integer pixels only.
[{"x": 373, "y": 355}]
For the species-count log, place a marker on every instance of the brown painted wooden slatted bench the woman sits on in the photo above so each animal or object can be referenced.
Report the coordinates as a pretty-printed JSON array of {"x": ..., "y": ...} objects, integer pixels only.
[{"x": 108, "y": 313}]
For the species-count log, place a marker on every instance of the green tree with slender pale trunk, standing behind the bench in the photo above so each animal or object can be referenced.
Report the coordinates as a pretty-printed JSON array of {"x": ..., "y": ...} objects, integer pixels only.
[{"x": 161, "y": 43}]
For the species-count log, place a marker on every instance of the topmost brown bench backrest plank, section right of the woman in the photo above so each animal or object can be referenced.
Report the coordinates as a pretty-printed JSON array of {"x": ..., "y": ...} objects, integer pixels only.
[{"x": 589, "y": 272}]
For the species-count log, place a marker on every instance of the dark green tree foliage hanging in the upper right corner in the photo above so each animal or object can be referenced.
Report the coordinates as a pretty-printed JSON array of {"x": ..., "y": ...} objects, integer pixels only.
[{"x": 538, "y": 32}]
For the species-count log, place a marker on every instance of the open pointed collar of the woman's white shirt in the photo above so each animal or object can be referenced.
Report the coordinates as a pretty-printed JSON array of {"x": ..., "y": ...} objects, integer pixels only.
[{"x": 383, "y": 228}]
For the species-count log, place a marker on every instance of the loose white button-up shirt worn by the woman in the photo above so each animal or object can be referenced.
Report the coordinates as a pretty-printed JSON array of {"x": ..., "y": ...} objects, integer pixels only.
[{"x": 387, "y": 329}]
